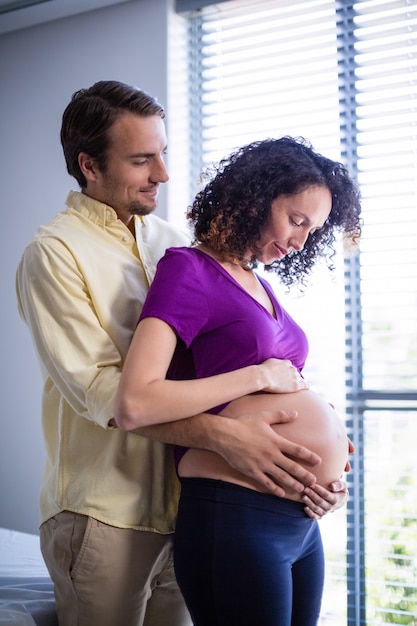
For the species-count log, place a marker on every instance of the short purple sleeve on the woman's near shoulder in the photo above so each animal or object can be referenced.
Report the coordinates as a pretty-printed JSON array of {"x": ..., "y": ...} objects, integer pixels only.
[{"x": 178, "y": 294}]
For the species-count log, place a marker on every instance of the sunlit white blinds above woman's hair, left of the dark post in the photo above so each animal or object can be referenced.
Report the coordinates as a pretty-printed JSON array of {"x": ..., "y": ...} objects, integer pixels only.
[{"x": 269, "y": 69}]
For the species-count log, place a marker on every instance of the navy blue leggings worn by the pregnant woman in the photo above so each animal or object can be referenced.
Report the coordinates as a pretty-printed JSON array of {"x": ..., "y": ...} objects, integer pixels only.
[{"x": 243, "y": 558}]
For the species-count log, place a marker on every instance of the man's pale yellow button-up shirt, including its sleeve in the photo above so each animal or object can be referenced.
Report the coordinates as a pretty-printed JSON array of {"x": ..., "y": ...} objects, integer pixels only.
[{"x": 81, "y": 284}]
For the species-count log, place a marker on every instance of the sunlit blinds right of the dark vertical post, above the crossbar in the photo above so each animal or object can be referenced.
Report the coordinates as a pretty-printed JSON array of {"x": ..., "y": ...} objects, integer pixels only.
[{"x": 386, "y": 83}]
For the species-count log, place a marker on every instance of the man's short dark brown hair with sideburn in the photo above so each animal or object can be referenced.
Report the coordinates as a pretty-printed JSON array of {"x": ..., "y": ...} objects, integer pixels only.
[{"x": 91, "y": 113}]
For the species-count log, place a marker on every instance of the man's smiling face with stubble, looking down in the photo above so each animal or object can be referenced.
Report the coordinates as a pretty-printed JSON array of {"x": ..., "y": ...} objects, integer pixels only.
[{"x": 135, "y": 167}]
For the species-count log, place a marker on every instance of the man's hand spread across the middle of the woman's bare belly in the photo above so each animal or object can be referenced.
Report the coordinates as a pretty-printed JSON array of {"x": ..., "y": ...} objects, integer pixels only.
[{"x": 253, "y": 448}]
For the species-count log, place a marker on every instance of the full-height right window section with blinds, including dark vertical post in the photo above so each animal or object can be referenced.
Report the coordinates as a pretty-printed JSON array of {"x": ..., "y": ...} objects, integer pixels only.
[{"x": 382, "y": 315}]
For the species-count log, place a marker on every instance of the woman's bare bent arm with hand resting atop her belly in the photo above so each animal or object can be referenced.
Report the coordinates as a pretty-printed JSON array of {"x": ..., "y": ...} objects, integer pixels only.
[{"x": 145, "y": 396}]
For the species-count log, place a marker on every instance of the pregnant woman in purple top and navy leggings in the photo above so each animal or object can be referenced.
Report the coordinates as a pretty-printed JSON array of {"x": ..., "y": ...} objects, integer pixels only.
[{"x": 243, "y": 557}]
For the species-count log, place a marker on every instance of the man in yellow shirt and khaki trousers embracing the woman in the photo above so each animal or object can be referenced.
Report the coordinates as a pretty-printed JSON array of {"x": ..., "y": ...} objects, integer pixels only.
[{"x": 109, "y": 498}]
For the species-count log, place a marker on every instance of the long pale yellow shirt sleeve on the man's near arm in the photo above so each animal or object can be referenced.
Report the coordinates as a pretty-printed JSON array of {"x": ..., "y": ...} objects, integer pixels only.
[{"x": 74, "y": 350}]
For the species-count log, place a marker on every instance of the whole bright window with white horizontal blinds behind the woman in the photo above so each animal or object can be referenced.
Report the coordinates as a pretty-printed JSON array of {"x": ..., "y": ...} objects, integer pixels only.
[{"x": 343, "y": 74}]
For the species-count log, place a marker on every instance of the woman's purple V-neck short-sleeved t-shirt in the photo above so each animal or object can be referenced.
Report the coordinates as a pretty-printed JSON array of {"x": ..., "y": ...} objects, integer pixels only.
[{"x": 220, "y": 326}]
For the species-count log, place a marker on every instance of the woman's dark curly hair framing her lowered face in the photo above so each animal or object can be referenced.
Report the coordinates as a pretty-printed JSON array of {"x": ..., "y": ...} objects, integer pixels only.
[{"x": 228, "y": 214}]
